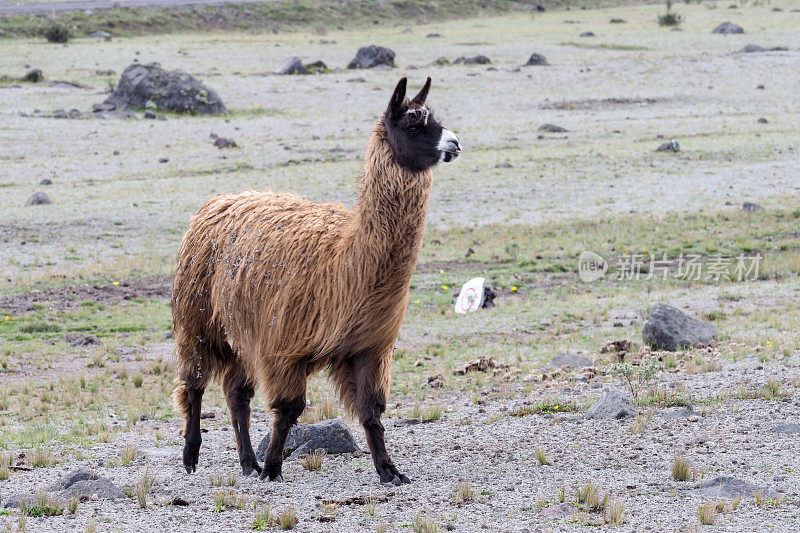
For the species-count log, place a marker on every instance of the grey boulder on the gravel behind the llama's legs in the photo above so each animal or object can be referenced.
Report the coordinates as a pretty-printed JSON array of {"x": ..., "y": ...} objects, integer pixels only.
[{"x": 332, "y": 435}]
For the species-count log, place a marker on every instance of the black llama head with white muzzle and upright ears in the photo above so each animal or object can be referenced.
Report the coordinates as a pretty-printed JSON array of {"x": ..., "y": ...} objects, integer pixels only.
[{"x": 417, "y": 140}]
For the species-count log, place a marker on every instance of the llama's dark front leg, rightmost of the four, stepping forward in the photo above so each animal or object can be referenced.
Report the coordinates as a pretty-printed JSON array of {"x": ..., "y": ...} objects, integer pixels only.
[{"x": 370, "y": 402}]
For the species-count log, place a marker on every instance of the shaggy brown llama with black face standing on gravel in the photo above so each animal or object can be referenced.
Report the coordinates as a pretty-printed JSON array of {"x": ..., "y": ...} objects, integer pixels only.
[{"x": 271, "y": 288}]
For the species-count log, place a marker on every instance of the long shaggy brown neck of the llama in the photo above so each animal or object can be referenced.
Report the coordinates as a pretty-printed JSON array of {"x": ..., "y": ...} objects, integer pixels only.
[{"x": 390, "y": 215}]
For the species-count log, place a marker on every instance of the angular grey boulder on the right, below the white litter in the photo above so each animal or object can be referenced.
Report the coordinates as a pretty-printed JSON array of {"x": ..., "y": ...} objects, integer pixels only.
[{"x": 668, "y": 328}]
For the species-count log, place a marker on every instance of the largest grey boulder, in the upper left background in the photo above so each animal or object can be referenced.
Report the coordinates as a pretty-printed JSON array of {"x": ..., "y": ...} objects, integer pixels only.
[{"x": 143, "y": 86}]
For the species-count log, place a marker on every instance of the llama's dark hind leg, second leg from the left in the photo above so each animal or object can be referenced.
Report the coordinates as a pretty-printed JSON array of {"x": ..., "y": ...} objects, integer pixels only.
[{"x": 238, "y": 392}]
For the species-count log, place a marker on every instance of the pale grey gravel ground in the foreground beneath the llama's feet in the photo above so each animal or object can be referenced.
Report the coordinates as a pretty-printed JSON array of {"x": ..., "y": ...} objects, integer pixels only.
[{"x": 480, "y": 443}]
